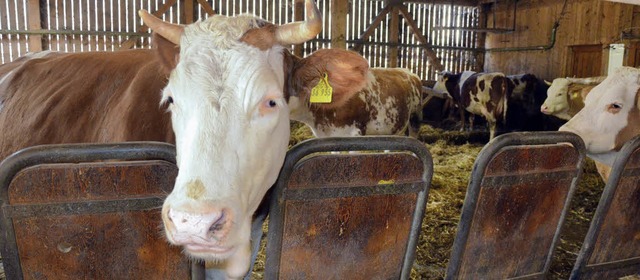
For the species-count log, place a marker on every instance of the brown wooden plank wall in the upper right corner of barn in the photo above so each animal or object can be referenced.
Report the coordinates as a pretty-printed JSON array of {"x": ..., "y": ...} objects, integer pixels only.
[{"x": 584, "y": 22}]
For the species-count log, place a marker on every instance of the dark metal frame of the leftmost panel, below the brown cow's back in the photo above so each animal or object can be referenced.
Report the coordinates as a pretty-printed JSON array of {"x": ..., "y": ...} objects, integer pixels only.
[{"x": 73, "y": 153}]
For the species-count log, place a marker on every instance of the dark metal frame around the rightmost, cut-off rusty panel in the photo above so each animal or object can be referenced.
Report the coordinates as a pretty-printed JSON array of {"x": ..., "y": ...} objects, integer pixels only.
[{"x": 617, "y": 172}]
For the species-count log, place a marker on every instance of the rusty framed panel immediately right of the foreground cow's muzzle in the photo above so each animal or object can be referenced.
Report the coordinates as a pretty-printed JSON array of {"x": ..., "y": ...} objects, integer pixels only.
[{"x": 348, "y": 216}]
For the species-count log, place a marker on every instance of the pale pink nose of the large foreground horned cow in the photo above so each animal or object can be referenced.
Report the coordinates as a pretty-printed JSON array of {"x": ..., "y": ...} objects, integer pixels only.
[{"x": 195, "y": 227}]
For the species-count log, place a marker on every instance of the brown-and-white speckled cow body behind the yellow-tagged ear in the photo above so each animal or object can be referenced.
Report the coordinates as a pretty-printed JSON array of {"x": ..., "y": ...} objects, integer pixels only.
[{"x": 385, "y": 106}]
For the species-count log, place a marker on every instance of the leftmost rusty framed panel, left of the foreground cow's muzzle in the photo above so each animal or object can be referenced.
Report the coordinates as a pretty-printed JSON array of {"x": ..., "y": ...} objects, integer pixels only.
[{"x": 95, "y": 218}]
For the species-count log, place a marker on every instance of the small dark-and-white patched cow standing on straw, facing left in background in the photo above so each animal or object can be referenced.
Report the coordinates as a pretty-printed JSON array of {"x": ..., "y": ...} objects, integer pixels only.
[{"x": 483, "y": 94}]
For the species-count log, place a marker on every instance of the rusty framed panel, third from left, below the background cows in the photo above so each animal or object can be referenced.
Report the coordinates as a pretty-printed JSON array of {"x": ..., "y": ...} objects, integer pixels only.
[{"x": 515, "y": 206}]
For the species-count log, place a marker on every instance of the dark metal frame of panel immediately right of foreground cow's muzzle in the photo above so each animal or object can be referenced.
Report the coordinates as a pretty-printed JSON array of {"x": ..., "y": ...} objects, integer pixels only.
[{"x": 334, "y": 144}]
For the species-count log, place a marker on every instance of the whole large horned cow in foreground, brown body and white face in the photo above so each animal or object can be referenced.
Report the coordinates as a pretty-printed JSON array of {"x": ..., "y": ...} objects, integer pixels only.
[{"x": 226, "y": 82}]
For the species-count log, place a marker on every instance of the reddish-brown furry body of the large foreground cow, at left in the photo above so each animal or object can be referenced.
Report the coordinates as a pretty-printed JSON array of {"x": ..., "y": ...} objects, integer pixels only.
[{"x": 83, "y": 97}]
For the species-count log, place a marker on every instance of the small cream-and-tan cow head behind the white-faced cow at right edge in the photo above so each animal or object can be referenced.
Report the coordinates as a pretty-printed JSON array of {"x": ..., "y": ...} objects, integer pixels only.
[{"x": 565, "y": 96}]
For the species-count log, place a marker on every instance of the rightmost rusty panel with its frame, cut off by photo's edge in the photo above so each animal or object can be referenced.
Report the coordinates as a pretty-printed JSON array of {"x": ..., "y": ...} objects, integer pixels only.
[{"x": 612, "y": 246}]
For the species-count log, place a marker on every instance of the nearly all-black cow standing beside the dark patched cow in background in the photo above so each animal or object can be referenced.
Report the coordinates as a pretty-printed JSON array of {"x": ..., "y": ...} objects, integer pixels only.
[{"x": 529, "y": 93}]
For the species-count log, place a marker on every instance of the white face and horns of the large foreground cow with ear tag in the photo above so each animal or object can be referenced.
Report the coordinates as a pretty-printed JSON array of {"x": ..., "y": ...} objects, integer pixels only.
[{"x": 231, "y": 121}]
